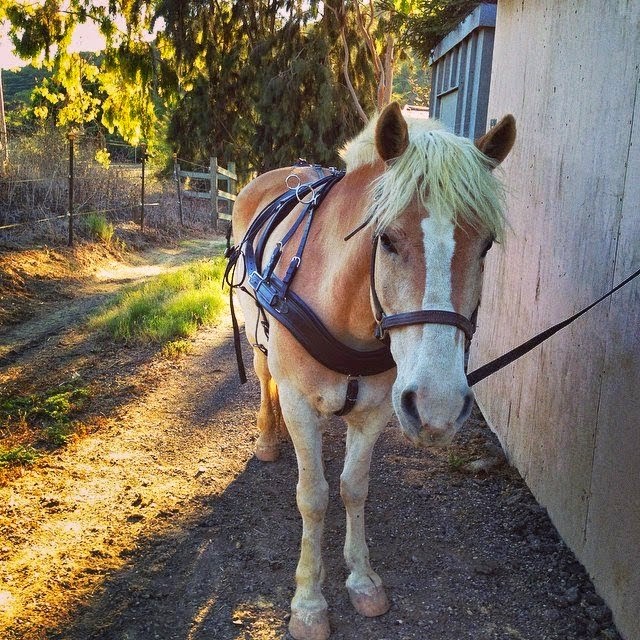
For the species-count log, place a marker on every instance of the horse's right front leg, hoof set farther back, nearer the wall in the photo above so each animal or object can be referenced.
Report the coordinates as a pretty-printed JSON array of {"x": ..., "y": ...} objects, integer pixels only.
[{"x": 364, "y": 585}]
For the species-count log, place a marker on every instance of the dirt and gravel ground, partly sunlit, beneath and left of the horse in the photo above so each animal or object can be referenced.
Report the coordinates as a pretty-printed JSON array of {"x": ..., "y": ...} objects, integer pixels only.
[{"x": 156, "y": 522}]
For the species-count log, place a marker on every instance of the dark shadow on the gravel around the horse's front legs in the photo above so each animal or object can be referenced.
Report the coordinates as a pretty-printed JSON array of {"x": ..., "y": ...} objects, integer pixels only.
[{"x": 462, "y": 556}]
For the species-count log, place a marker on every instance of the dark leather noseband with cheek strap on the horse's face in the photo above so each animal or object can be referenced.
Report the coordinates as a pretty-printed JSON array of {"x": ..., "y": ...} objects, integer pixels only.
[{"x": 424, "y": 316}]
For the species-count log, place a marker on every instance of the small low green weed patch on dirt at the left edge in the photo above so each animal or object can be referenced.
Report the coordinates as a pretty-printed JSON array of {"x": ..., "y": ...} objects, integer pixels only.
[{"x": 51, "y": 413}]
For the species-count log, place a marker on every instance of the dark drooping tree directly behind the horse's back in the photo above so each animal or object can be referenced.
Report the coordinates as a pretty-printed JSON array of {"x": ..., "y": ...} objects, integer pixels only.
[{"x": 264, "y": 83}]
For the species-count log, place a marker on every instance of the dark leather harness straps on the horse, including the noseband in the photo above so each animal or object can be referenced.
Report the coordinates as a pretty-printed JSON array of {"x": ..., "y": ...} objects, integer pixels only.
[{"x": 273, "y": 295}]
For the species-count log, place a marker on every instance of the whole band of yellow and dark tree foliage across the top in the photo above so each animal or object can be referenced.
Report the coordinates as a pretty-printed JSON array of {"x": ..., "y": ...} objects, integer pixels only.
[{"x": 257, "y": 82}]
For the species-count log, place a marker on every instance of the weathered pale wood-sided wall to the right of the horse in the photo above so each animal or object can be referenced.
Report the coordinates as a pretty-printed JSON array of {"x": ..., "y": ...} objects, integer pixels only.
[{"x": 568, "y": 413}]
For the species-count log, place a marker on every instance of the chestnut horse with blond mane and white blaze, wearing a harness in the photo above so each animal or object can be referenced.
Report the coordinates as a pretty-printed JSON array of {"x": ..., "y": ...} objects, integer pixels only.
[{"x": 433, "y": 205}]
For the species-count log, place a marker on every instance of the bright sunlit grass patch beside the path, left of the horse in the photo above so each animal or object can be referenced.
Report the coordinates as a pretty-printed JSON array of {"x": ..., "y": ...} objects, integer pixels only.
[{"x": 168, "y": 307}]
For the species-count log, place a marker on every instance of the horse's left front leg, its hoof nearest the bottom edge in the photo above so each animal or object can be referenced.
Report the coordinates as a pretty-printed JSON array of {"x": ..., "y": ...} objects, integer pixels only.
[{"x": 309, "y": 618}]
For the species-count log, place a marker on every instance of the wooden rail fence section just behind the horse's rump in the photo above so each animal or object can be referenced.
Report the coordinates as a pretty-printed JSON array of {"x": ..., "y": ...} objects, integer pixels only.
[{"x": 221, "y": 199}]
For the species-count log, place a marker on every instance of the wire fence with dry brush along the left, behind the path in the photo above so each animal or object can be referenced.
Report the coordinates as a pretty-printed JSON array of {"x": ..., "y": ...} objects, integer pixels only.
[{"x": 54, "y": 182}]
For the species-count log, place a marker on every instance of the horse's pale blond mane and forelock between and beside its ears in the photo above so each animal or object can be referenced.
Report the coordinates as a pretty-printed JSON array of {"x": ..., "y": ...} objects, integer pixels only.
[{"x": 447, "y": 174}]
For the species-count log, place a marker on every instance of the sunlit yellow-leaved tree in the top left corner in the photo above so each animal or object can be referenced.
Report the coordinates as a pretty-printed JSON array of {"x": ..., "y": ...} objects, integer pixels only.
[{"x": 114, "y": 89}]
